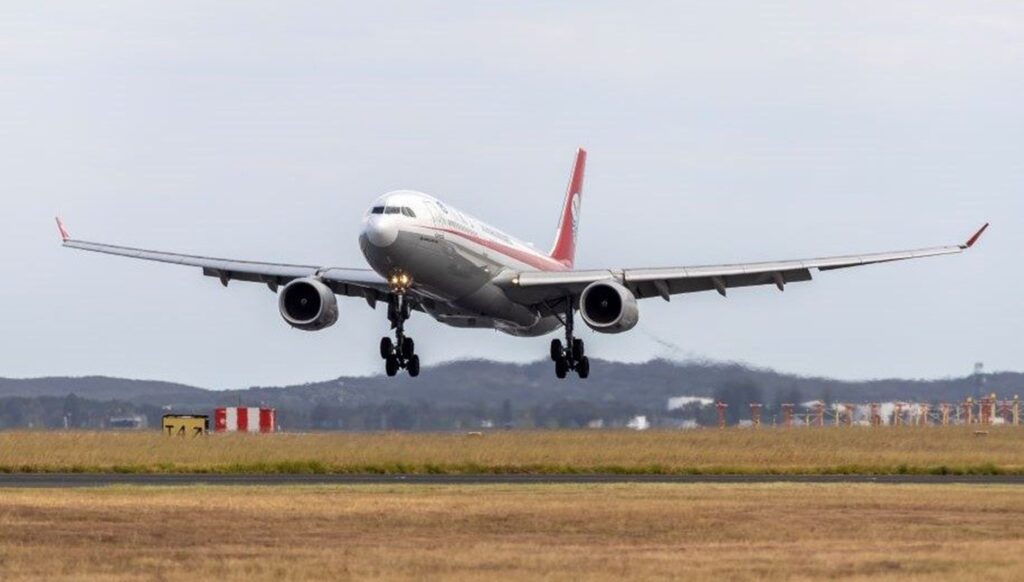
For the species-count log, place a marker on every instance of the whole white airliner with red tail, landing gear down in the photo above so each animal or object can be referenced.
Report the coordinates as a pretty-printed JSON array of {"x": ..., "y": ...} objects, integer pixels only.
[{"x": 428, "y": 257}]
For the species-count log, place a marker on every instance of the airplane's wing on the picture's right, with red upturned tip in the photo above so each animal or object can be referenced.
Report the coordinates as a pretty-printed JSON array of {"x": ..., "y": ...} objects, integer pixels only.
[{"x": 545, "y": 287}]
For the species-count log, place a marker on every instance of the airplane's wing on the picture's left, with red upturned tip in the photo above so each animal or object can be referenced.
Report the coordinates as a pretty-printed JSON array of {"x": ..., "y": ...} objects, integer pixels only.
[{"x": 349, "y": 282}]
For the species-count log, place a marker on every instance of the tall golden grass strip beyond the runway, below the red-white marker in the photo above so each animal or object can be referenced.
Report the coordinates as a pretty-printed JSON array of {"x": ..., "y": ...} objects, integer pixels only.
[{"x": 831, "y": 450}]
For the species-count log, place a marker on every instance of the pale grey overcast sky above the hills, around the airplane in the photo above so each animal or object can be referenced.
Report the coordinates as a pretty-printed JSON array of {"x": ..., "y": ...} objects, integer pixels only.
[{"x": 718, "y": 132}]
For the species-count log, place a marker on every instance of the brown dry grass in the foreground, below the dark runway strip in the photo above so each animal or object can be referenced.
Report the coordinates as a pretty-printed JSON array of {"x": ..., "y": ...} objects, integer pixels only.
[{"x": 635, "y": 532}]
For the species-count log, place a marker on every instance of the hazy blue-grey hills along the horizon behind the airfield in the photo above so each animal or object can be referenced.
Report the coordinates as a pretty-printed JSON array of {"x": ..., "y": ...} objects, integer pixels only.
[{"x": 647, "y": 387}]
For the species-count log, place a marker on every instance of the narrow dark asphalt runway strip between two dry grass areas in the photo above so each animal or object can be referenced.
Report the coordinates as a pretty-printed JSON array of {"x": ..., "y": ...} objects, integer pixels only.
[{"x": 61, "y": 481}]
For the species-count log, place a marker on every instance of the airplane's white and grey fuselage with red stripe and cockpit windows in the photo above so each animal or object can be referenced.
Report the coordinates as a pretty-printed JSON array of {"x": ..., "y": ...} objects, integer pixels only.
[{"x": 453, "y": 260}]
